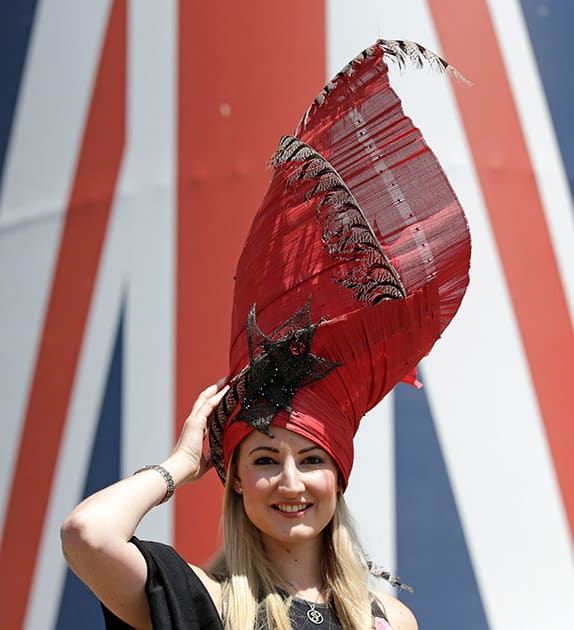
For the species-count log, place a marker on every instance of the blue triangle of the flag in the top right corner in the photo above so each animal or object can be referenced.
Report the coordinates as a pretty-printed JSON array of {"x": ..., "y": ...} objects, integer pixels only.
[{"x": 550, "y": 26}]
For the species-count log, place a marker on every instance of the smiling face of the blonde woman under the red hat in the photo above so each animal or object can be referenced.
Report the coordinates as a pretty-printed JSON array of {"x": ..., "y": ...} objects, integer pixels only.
[{"x": 289, "y": 485}]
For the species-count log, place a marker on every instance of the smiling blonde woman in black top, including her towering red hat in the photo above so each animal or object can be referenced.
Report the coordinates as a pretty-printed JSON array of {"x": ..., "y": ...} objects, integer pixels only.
[{"x": 355, "y": 263}]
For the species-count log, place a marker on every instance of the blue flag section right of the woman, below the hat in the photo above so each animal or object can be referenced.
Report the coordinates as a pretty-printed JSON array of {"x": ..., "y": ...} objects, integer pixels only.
[{"x": 432, "y": 554}]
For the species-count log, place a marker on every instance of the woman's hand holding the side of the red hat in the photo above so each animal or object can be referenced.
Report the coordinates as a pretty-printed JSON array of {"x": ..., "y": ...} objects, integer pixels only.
[{"x": 188, "y": 456}]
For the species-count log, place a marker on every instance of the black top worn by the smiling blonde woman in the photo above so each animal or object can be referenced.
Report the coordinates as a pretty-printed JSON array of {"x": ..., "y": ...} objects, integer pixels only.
[{"x": 178, "y": 600}]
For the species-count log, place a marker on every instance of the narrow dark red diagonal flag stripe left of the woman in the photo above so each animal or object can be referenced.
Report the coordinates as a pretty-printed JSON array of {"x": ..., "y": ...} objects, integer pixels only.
[{"x": 75, "y": 272}]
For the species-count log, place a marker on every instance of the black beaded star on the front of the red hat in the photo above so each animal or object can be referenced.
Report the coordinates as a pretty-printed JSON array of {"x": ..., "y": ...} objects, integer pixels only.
[{"x": 279, "y": 365}]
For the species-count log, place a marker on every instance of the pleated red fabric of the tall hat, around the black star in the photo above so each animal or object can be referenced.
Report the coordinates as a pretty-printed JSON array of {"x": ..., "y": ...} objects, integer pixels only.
[{"x": 360, "y": 223}]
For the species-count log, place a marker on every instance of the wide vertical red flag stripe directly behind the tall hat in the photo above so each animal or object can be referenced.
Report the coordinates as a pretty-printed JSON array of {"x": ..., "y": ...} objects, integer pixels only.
[{"x": 240, "y": 90}]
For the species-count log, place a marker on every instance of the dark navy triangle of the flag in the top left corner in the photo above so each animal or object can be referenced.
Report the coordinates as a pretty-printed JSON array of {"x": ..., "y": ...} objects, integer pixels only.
[{"x": 16, "y": 20}]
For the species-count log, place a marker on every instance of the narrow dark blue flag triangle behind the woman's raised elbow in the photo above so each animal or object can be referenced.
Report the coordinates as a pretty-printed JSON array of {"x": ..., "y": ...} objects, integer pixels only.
[{"x": 79, "y": 608}]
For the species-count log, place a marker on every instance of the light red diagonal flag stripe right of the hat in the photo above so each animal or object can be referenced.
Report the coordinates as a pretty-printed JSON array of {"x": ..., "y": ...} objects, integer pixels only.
[{"x": 517, "y": 217}]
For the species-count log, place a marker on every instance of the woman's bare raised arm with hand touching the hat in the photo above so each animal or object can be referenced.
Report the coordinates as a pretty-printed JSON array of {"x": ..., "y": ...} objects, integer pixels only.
[{"x": 95, "y": 536}]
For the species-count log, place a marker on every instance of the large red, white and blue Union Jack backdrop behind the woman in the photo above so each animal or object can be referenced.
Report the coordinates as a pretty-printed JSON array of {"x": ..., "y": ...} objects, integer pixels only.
[{"x": 134, "y": 138}]
